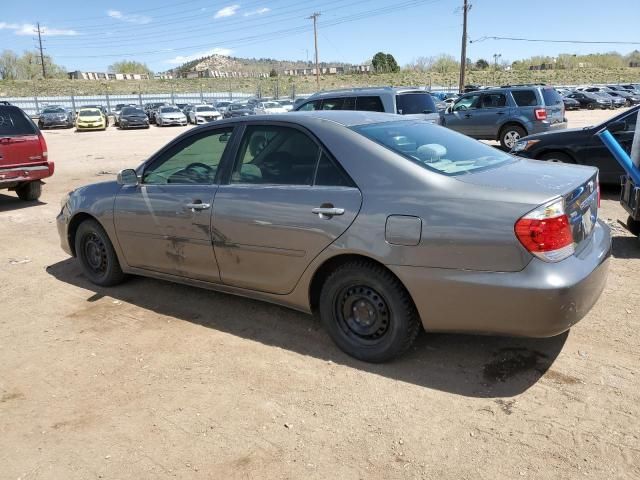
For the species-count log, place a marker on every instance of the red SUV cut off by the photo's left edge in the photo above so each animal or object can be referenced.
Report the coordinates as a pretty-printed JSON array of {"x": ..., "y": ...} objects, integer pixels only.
[{"x": 23, "y": 154}]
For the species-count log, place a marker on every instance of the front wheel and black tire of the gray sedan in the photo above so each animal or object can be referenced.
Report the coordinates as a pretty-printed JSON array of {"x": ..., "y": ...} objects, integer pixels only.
[{"x": 97, "y": 256}]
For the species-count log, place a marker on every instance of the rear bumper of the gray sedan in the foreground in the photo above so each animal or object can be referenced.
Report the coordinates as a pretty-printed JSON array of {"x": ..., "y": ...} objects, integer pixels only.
[{"x": 542, "y": 300}]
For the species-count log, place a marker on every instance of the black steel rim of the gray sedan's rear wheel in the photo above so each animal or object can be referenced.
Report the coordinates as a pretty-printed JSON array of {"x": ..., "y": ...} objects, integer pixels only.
[{"x": 363, "y": 314}]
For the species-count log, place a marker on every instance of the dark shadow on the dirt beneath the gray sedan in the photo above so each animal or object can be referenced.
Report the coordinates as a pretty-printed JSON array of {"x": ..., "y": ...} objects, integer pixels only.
[{"x": 473, "y": 366}]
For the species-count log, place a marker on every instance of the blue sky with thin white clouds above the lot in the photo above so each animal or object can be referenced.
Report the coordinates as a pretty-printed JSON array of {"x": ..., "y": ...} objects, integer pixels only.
[{"x": 164, "y": 33}]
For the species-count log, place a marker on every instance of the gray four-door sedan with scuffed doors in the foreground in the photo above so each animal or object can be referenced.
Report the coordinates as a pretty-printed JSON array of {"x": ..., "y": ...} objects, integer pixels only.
[{"x": 379, "y": 224}]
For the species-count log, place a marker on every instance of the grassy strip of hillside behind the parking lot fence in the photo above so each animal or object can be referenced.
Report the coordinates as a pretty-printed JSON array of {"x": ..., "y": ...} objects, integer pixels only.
[{"x": 285, "y": 85}]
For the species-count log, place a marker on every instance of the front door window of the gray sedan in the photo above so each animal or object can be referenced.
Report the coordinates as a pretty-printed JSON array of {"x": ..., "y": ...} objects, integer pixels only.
[{"x": 195, "y": 160}]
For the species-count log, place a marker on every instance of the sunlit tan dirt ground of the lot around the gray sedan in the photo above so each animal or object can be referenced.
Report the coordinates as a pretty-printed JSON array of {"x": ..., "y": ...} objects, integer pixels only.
[{"x": 155, "y": 380}]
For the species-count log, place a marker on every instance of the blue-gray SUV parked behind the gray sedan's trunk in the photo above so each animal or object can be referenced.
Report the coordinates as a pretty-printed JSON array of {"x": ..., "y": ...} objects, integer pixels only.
[{"x": 506, "y": 114}]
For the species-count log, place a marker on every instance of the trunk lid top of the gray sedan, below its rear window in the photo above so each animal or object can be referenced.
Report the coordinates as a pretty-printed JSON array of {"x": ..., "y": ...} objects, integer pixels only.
[{"x": 535, "y": 179}]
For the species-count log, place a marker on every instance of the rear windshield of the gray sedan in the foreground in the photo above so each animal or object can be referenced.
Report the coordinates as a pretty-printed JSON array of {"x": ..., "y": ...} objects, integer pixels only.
[{"x": 434, "y": 148}]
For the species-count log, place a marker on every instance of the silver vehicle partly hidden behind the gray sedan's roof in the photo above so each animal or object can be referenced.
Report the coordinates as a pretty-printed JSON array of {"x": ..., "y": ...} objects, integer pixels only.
[{"x": 406, "y": 101}]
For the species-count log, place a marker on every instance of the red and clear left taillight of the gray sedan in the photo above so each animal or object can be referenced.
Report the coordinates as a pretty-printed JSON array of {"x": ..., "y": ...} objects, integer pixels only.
[{"x": 546, "y": 232}]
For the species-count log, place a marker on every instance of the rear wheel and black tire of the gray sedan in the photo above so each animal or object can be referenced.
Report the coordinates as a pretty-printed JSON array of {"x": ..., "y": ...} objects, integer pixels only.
[{"x": 367, "y": 312}]
